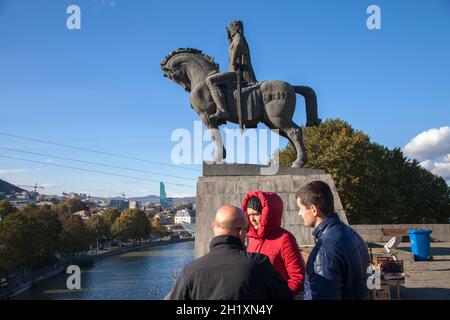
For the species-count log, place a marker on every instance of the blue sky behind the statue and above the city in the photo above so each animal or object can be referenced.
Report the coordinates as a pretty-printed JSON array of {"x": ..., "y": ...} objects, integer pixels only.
[{"x": 101, "y": 87}]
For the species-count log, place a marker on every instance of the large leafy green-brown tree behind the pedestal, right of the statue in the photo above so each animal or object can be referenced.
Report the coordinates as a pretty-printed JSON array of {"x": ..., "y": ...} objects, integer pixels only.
[{"x": 375, "y": 184}]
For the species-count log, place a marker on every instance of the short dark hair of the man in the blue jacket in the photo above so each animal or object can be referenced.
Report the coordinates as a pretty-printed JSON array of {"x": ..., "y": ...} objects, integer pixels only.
[{"x": 319, "y": 194}]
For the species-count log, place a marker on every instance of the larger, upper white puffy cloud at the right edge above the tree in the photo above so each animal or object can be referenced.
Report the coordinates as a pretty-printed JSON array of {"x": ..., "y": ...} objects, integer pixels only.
[{"x": 429, "y": 144}]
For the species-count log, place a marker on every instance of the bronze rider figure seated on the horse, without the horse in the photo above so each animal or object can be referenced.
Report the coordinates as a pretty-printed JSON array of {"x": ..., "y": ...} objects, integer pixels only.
[{"x": 239, "y": 60}]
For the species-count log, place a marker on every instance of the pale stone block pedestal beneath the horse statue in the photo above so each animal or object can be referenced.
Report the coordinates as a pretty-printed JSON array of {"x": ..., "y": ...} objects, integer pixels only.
[{"x": 229, "y": 183}]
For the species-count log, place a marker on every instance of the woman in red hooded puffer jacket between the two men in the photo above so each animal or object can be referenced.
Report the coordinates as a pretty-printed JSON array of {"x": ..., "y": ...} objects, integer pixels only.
[{"x": 266, "y": 236}]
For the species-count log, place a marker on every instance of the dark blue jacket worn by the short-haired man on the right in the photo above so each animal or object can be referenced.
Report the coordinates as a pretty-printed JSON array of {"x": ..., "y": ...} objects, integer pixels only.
[{"x": 337, "y": 266}]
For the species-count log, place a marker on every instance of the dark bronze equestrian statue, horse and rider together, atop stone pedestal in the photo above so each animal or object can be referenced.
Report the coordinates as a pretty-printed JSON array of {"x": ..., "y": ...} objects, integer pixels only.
[{"x": 236, "y": 96}]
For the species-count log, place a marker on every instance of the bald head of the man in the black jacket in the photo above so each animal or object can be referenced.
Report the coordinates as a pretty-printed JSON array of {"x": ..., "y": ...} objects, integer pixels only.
[{"x": 229, "y": 221}]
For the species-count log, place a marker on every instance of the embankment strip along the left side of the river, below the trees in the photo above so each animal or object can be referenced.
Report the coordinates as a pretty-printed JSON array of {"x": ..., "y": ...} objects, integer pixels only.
[{"x": 18, "y": 287}]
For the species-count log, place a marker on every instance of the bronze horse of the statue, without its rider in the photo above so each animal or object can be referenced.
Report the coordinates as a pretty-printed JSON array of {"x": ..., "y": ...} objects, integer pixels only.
[{"x": 270, "y": 102}]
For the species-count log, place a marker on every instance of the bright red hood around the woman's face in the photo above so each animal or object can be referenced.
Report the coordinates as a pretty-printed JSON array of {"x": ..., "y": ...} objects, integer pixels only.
[{"x": 272, "y": 212}]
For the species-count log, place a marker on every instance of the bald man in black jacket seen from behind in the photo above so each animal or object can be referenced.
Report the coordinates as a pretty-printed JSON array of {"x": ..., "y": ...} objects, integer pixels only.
[{"x": 228, "y": 272}]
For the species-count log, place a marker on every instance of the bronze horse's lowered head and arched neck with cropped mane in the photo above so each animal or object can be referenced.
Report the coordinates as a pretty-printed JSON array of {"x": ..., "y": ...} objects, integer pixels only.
[{"x": 186, "y": 65}]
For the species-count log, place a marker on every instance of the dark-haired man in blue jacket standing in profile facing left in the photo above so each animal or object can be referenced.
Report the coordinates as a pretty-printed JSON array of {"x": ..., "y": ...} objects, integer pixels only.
[{"x": 337, "y": 266}]
